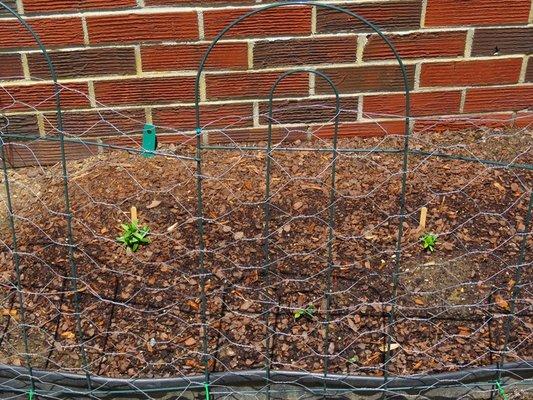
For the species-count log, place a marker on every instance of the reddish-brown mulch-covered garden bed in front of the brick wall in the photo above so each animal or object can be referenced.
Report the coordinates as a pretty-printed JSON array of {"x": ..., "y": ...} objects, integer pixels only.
[{"x": 141, "y": 314}]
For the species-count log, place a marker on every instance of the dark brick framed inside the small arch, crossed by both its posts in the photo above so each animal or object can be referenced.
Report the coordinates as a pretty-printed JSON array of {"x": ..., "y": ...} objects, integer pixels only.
[{"x": 308, "y": 111}]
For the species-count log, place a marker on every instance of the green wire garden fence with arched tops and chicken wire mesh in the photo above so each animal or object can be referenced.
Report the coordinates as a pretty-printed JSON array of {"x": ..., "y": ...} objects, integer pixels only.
[{"x": 301, "y": 265}]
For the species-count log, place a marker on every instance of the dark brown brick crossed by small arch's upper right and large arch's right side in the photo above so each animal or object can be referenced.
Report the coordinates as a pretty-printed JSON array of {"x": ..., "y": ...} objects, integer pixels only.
[{"x": 365, "y": 79}]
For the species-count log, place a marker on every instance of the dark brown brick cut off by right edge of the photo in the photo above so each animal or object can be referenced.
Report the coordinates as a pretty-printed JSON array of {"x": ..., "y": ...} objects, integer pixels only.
[{"x": 488, "y": 42}]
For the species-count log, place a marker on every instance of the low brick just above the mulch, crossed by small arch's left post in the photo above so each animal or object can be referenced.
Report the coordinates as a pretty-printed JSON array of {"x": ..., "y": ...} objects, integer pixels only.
[{"x": 254, "y": 135}]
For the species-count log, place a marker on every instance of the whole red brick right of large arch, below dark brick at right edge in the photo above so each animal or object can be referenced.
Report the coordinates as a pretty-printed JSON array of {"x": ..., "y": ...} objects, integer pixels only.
[{"x": 470, "y": 73}]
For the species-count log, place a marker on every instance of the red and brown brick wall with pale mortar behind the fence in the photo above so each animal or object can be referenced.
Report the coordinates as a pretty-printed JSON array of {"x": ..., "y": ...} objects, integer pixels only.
[{"x": 125, "y": 62}]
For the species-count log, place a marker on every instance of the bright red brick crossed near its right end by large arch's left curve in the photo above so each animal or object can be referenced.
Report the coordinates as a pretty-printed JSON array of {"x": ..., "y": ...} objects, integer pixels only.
[{"x": 188, "y": 57}]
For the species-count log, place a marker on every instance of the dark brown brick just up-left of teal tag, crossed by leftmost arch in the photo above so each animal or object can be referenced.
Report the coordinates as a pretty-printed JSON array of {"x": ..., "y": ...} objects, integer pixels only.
[{"x": 97, "y": 123}]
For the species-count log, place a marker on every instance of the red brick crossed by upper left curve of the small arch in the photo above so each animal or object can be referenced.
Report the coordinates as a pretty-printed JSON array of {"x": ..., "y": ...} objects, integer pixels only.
[{"x": 254, "y": 85}]
